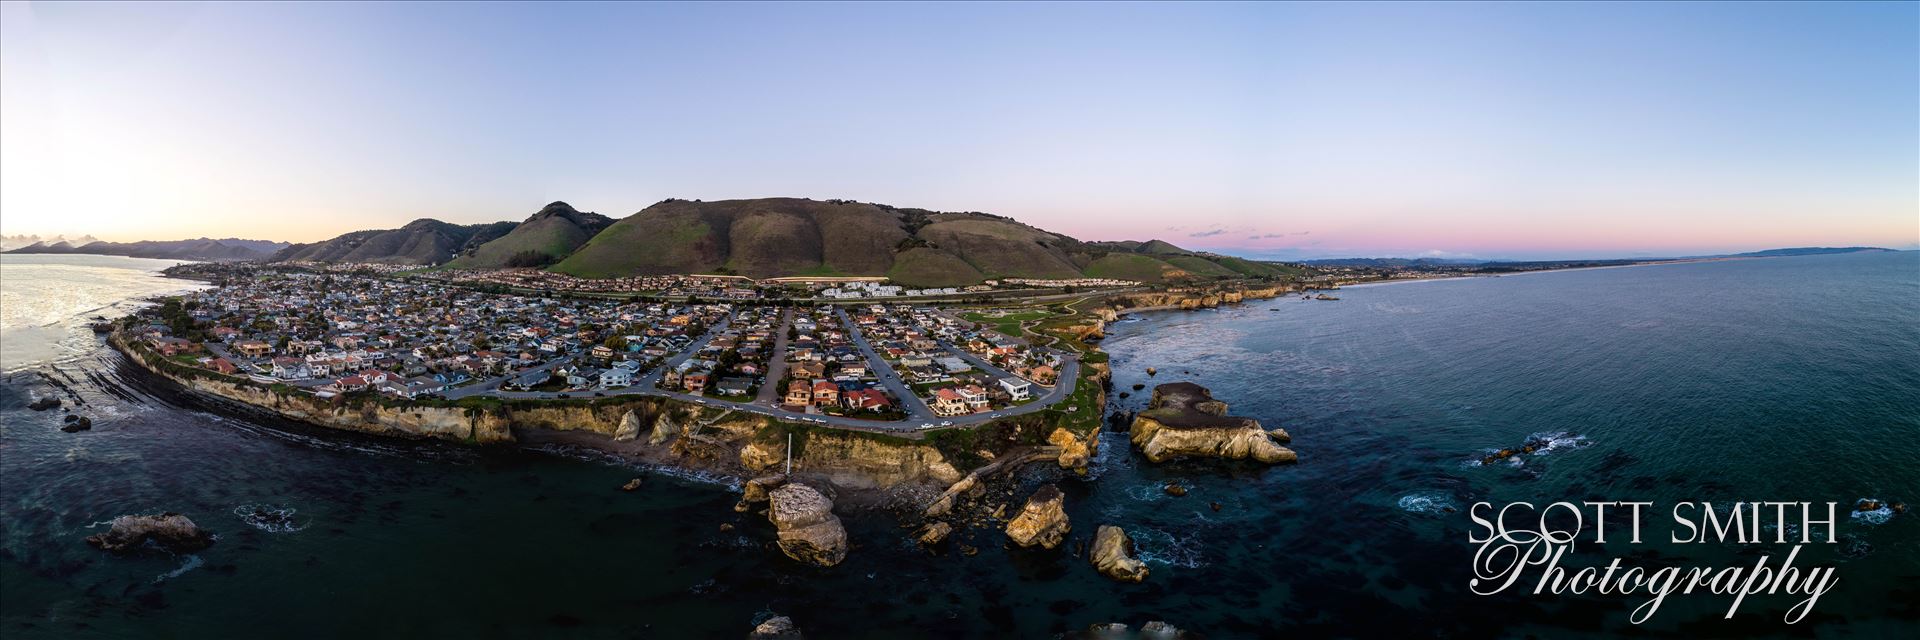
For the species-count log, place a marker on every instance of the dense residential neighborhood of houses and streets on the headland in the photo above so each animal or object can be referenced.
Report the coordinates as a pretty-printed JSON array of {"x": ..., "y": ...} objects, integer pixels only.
[{"x": 358, "y": 333}]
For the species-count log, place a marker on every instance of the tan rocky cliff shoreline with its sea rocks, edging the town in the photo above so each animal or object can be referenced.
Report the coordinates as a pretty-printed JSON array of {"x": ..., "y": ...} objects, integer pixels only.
[{"x": 830, "y": 470}]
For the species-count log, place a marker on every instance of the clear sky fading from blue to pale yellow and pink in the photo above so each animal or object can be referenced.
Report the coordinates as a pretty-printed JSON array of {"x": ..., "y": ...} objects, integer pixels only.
[{"x": 1255, "y": 130}]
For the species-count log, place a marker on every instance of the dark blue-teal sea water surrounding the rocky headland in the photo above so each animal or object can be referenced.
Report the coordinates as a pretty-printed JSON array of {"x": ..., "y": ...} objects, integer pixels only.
[{"x": 1764, "y": 380}]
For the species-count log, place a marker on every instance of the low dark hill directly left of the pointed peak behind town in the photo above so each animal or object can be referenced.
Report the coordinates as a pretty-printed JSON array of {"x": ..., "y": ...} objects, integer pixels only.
[{"x": 420, "y": 243}]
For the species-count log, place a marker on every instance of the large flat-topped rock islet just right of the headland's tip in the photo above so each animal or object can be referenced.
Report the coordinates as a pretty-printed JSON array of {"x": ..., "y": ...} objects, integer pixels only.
[{"x": 1186, "y": 422}]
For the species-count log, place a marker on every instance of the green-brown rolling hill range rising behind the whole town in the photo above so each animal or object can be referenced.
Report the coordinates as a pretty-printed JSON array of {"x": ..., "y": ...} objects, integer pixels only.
[{"x": 777, "y": 237}]
